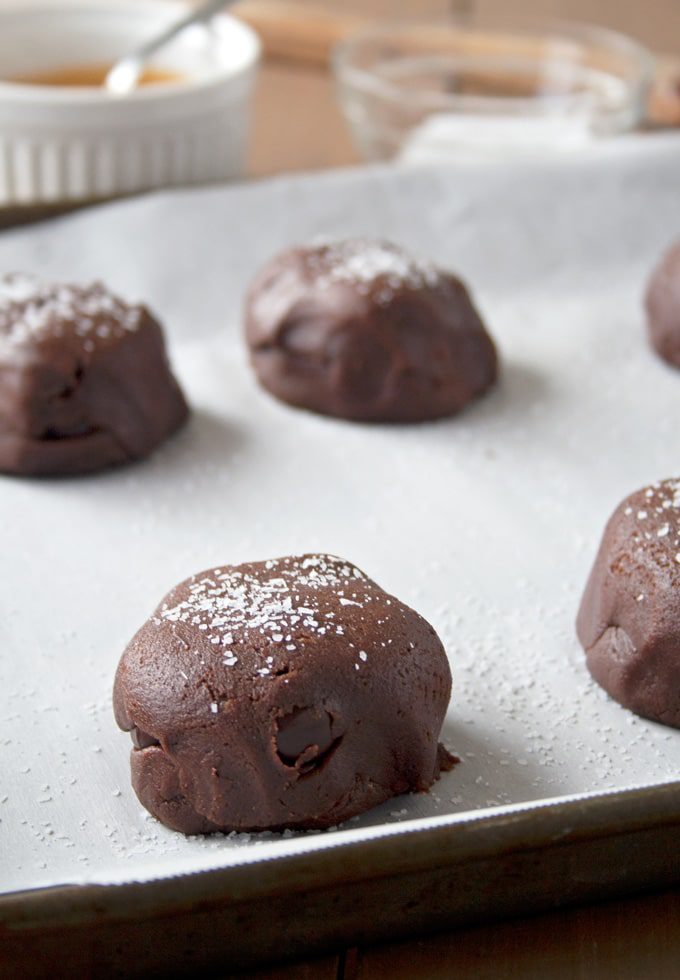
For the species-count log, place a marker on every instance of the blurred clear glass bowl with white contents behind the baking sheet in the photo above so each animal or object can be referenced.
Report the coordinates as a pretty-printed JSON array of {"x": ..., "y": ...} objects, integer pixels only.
[{"x": 418, "y": 91}]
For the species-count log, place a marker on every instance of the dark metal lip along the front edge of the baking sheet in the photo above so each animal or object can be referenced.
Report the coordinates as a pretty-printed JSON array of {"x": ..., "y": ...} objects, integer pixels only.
[{"x": 514, "y": 828}]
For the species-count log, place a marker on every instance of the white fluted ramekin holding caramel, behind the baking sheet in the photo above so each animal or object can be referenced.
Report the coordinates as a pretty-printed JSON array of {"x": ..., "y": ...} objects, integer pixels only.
[{"x": 70, "y": 144}]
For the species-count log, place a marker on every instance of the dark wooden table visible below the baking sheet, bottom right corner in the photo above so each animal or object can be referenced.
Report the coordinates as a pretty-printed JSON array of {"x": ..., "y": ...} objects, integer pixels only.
[{"x": 636, "y": 939}]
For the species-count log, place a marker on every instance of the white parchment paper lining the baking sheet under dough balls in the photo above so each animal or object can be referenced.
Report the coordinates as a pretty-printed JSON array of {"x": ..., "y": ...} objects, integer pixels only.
[{"x": 487, "y": 524}]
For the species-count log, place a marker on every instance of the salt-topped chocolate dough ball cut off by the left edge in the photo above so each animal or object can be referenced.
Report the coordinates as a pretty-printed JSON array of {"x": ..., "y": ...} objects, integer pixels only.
[{"x": 84, "y": 379}]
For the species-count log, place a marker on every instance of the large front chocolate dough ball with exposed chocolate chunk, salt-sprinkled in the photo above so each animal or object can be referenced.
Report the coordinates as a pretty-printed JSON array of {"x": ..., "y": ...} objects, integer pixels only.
[{"x": 291, "y": 693}]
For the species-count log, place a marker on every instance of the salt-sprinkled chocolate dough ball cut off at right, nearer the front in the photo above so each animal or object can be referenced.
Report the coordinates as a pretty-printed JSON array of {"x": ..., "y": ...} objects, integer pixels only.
[{"x": 629, "y": 620}]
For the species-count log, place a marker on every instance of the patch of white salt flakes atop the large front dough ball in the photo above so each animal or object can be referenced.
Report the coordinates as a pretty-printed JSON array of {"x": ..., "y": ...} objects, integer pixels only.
[{"x": 231, "y": 605}]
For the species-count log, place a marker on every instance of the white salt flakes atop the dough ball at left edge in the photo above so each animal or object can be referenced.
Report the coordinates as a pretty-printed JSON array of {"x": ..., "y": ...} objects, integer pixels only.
[{"x": 31, "y": 310}]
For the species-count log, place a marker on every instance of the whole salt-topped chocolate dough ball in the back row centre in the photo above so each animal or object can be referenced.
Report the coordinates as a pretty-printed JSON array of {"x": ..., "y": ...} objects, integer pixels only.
[{"x": 361, "y": 330}]
